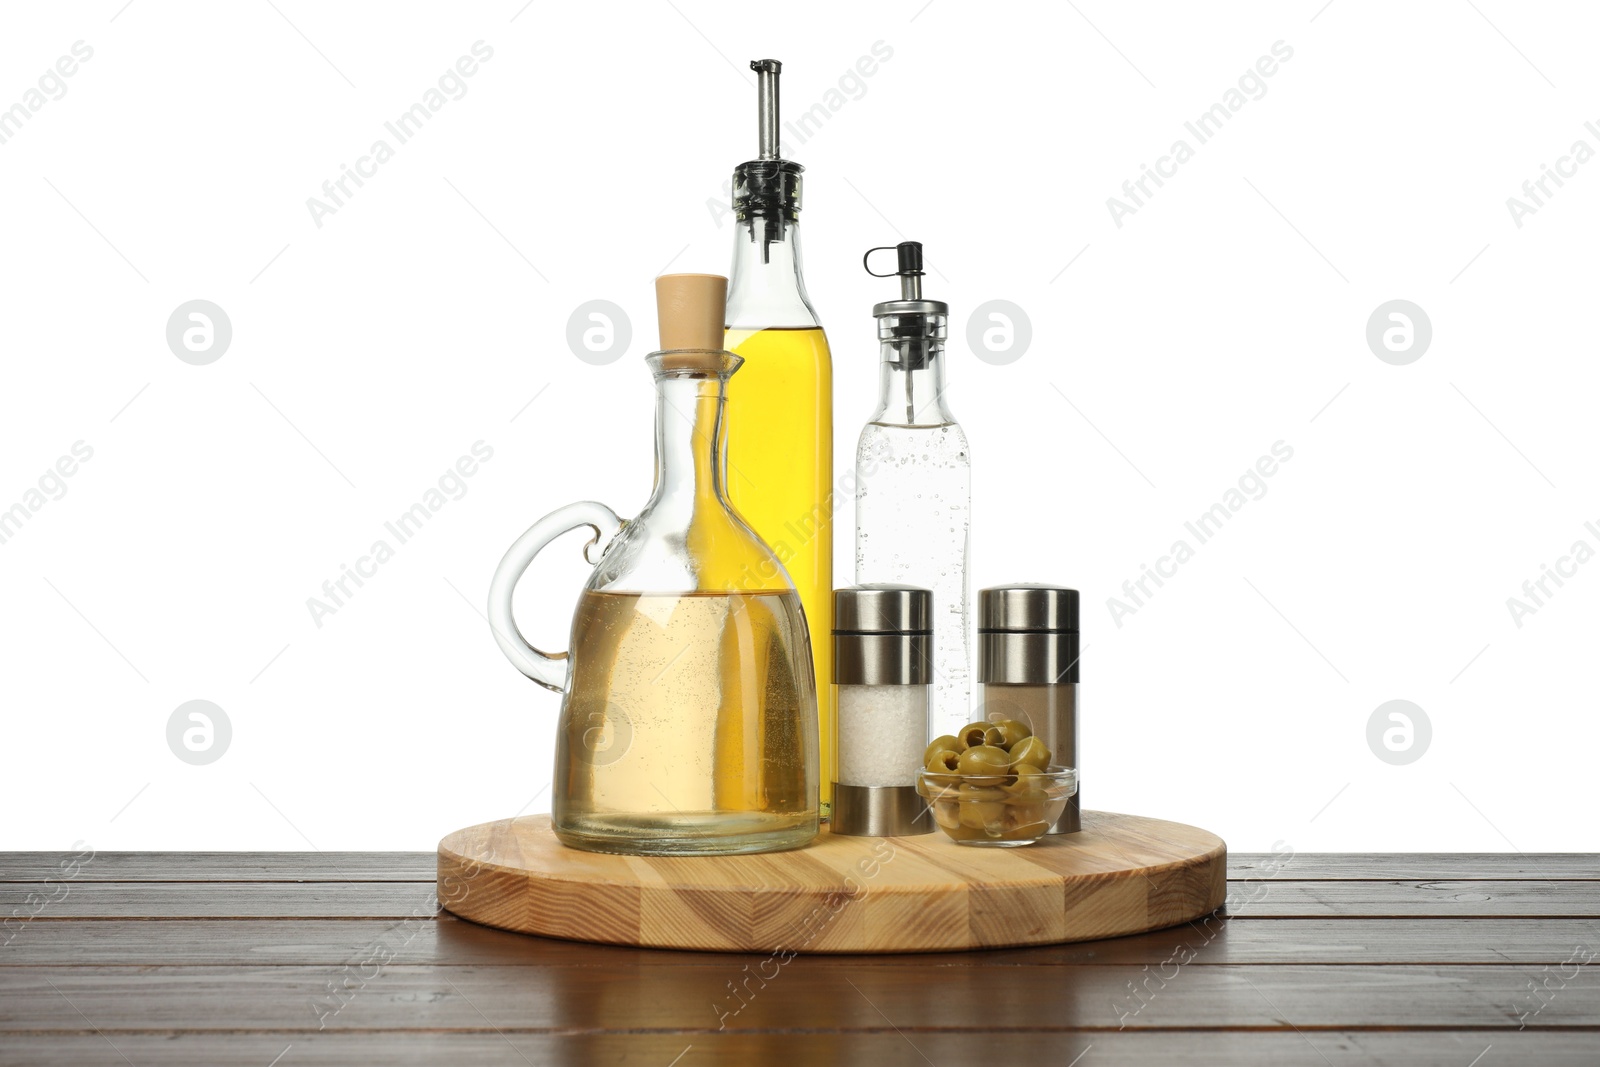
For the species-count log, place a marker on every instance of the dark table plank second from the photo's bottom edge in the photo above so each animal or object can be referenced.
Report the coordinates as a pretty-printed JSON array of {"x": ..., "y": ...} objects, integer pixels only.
[{"x": 698, "y": 997}]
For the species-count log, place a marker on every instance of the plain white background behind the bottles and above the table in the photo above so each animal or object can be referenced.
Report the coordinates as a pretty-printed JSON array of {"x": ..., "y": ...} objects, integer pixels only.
[{"x": 370, "y": 353}]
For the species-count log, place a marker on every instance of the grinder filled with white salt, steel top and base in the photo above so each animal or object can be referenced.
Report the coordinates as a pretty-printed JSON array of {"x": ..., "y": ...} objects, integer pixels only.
[{"x": 882, "y": 676}]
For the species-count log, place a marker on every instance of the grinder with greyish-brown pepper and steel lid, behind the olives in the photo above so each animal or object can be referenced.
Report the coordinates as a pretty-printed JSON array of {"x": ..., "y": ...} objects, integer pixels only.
[{"x": 1028, "y": 665}]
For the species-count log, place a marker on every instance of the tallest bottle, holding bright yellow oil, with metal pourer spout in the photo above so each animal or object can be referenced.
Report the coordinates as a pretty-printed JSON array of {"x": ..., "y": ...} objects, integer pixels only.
[{"x": 782, "y": 404}]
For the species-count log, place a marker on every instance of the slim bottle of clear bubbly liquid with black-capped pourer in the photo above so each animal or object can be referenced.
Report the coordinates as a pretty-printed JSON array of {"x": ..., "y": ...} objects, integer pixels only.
[{"x": 914, "y": 484}]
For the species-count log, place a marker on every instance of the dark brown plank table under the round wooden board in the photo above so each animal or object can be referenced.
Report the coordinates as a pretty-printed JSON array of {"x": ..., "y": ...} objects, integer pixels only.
[{"x": 298, "y": 959}]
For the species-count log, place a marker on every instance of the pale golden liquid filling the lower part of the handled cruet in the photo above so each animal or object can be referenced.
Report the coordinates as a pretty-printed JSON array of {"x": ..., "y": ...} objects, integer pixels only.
[{"x": 687, "y": 725}]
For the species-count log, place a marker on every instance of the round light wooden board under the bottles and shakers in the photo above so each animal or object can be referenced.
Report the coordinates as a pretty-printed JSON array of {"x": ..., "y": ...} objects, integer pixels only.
[{"x": 1119, "y": 876}]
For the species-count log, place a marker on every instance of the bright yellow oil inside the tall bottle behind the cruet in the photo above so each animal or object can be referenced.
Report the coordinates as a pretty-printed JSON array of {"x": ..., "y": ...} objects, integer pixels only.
[{"x": 780, "y": 425}]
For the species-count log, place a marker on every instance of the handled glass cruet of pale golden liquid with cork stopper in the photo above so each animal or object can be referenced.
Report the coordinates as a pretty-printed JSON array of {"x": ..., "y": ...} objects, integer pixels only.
[{"x": 689, "y": 713}]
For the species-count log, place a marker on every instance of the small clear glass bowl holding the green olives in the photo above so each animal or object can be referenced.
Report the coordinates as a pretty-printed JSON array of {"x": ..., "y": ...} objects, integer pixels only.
[{"x": 998, "y": 810}]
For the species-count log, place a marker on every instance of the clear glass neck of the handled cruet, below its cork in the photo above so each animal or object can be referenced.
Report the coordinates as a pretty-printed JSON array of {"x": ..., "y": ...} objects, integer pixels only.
[{"x": 689, "y": 446}]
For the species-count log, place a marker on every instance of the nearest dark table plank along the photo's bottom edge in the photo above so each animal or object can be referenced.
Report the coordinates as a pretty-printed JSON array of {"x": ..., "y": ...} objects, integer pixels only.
[{"x": 884, "y": 1049}]
